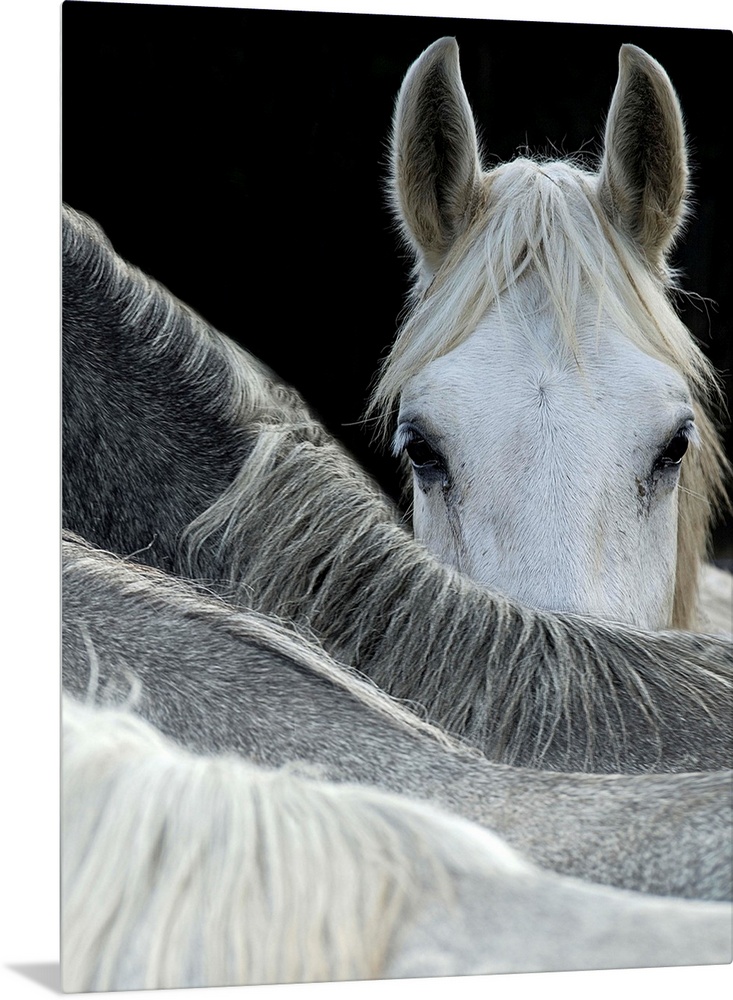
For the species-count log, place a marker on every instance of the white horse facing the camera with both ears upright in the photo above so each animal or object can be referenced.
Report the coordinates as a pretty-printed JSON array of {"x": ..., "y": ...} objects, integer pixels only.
[{"x": 554, "y": 408}]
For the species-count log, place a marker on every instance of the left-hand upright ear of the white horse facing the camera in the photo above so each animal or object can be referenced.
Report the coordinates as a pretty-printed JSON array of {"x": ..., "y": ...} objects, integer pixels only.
[{"x": 435, "y": 161}]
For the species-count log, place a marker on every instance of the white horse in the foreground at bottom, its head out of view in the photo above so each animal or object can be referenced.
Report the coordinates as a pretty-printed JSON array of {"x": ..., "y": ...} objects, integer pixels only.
[{"x": 188, "y": 870}]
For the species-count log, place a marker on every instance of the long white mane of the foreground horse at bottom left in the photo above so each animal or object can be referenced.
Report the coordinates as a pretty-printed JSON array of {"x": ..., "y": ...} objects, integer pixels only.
[{"x": 186, "y": 870}]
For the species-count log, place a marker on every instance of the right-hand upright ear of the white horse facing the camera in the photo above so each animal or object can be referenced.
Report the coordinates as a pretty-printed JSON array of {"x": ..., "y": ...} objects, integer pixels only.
[{"x": 644, "y": 176}]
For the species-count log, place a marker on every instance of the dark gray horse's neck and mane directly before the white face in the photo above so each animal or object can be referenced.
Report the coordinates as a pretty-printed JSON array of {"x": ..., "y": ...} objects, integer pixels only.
[{"x": 179, "y": 445}]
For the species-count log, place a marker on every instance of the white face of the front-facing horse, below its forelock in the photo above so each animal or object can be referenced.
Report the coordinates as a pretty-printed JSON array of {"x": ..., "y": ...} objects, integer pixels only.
[{"x": 550, "y": 477}]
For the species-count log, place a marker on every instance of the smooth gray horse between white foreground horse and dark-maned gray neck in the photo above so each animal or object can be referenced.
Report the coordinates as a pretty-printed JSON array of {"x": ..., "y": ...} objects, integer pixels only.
[{"x": 217, "y": 680}]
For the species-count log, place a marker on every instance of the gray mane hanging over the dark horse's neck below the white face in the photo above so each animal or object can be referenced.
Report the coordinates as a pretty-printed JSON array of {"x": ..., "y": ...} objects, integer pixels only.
[{"x": 526, "y": 687}]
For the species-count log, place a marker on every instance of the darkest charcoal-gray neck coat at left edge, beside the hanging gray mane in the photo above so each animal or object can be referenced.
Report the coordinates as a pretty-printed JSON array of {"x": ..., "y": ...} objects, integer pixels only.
[{"x": 131, "y": 417}]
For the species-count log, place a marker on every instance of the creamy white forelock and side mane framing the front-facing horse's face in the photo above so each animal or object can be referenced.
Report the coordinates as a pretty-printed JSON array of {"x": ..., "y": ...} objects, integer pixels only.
[{"x": 544, "y": 218}]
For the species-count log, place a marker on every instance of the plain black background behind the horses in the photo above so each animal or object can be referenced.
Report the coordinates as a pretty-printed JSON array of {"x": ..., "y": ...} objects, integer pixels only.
[{"x": 239, "y": 157}]
